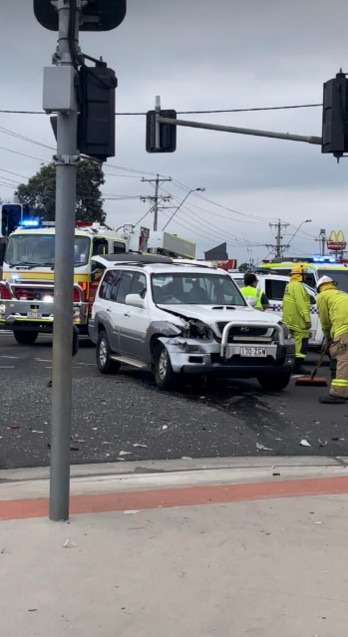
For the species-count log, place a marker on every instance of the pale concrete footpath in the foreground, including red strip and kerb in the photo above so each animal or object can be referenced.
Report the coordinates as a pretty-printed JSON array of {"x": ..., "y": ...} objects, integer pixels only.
[{"x": 232, "y": 547}]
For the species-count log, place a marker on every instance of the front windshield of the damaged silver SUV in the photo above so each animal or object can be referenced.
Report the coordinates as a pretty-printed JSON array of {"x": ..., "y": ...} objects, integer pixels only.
[{"x": 181, "y": 288}]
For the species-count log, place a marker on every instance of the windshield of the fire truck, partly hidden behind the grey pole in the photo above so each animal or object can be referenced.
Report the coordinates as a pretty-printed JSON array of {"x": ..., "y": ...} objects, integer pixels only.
[{"x": 38, "y": 250}]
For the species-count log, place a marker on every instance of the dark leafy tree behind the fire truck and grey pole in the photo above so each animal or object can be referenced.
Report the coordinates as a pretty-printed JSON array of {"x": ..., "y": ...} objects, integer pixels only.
[{"x": 40, "y": 192}]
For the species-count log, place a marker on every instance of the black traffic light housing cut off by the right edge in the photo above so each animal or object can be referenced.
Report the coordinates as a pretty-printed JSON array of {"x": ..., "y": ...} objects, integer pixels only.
[{"x": 335, "y": 116}]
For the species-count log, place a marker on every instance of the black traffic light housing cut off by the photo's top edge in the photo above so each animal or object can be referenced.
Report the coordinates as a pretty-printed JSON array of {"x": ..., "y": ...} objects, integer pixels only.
[{"x": 96, "y": 15}]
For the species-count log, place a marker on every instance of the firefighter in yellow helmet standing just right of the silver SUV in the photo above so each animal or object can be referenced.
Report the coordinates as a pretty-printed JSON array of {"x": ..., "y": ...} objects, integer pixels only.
[{"x": 296, "y": 314}]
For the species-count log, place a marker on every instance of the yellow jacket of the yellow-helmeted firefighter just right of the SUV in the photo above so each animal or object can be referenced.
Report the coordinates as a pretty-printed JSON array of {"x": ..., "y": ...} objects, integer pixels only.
[{"x": 296, "y": 306}]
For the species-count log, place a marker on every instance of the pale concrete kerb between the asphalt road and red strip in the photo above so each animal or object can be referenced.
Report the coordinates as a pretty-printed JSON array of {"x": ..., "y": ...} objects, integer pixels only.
[{"x": 31, "y": 483}]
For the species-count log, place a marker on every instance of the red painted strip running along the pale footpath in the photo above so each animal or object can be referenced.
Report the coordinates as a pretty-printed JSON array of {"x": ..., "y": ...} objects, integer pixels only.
[{"x": 178, "y": 497}]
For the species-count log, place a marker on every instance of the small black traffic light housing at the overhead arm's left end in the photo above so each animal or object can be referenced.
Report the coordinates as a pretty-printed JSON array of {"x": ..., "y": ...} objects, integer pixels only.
[{"x": 166, "y": 142}]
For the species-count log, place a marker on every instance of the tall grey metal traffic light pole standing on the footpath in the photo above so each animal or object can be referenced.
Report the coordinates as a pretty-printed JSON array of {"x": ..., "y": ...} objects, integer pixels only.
[{"x": 66, "y": 164}]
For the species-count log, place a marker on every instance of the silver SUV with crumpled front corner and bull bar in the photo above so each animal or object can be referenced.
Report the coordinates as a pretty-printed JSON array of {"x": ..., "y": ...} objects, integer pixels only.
[{"x": 177, "y": 319}]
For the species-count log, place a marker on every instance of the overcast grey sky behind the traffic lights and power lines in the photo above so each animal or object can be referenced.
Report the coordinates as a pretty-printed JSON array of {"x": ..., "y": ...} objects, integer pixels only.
[{"x": 198, "y": 55}]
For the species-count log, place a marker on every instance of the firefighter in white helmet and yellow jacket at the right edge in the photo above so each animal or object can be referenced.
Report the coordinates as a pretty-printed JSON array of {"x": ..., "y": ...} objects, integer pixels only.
[{"x": 332, "y": 307}]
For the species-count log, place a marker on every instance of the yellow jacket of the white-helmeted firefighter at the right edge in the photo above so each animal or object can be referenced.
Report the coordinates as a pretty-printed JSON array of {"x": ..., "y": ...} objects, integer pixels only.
[{"x": 332, "y": 307}]
